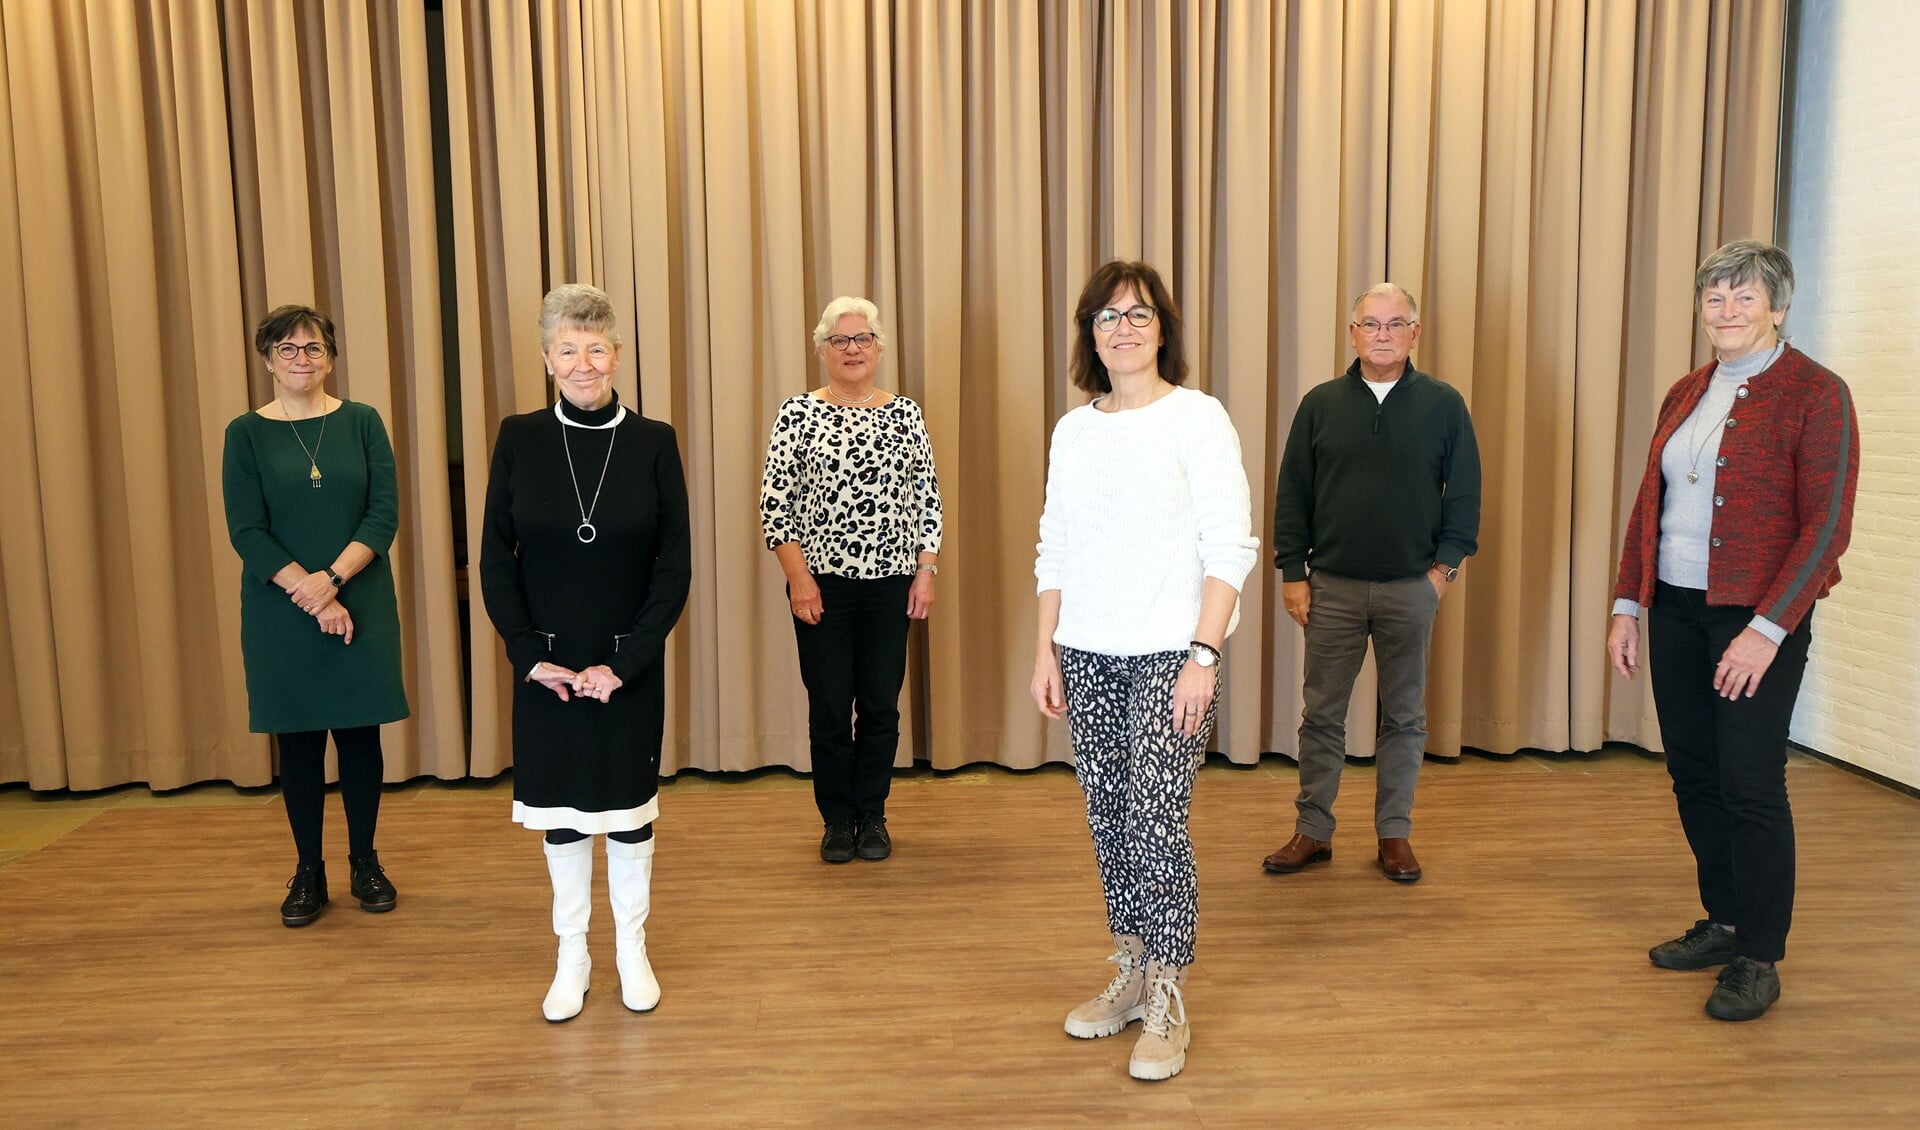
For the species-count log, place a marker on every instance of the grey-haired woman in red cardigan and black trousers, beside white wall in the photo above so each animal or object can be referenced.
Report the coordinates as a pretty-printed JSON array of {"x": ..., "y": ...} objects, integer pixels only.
[{"x": 1739, "y": 529}]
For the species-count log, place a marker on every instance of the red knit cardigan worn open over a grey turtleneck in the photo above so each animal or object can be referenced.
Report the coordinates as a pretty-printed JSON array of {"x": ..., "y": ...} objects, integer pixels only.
[{"x": 1790, "y": 458}]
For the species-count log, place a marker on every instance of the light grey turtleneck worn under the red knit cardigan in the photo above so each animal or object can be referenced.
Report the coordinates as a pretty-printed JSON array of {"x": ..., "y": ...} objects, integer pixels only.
[{"x": 1687, "y": 507}]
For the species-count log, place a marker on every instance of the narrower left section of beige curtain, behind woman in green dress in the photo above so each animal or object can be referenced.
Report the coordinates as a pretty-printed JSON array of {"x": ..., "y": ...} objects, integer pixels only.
[{"x": 170, "y": 174}]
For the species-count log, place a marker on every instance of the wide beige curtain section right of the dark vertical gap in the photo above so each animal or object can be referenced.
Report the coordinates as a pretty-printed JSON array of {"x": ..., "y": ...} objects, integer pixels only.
[{"x": 1543, "y": 176}]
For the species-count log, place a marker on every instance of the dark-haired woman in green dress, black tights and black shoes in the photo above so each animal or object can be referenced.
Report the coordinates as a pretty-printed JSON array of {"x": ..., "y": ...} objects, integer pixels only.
[{"x": 312, "y": 509}]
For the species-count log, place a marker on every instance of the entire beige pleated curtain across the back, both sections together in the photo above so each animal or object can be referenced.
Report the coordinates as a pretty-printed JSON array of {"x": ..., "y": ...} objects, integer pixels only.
[{"x": 1543, "y": 176}]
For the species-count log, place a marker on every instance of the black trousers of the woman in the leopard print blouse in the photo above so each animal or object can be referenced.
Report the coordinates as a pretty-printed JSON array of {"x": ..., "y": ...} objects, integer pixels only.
[{"x": 853, "y": 665}]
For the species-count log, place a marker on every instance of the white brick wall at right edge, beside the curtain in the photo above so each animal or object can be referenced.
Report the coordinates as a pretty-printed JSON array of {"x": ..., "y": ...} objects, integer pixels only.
[{"x": 1854, "y": 229}]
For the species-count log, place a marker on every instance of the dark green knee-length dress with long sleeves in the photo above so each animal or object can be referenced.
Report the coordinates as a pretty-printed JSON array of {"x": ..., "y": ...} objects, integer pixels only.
[{"x": 297, "y": 676}]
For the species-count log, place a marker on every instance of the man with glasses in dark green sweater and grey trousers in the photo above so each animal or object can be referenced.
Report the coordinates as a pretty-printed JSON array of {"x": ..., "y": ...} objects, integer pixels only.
[{"x": 1378, "y": 504}]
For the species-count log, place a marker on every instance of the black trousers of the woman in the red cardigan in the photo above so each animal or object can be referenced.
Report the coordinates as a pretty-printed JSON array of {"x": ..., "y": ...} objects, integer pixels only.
[{"x": 1729, "y": 761}]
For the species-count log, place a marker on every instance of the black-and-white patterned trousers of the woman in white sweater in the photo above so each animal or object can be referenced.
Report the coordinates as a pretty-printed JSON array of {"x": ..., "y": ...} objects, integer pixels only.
[{"x": 1140, "y": 780}]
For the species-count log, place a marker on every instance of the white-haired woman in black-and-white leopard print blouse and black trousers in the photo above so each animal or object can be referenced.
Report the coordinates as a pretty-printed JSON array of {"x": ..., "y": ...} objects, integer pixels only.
[{"x": 852, "y": 507}]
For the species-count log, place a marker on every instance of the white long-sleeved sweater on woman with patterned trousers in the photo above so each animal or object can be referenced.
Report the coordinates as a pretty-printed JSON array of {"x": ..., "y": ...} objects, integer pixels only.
[{"x": 1141, "y": 509}]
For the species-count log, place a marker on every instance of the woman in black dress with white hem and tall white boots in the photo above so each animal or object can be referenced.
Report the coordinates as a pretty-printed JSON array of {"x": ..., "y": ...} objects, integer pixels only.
[{"x": 585, "y": 567}]
